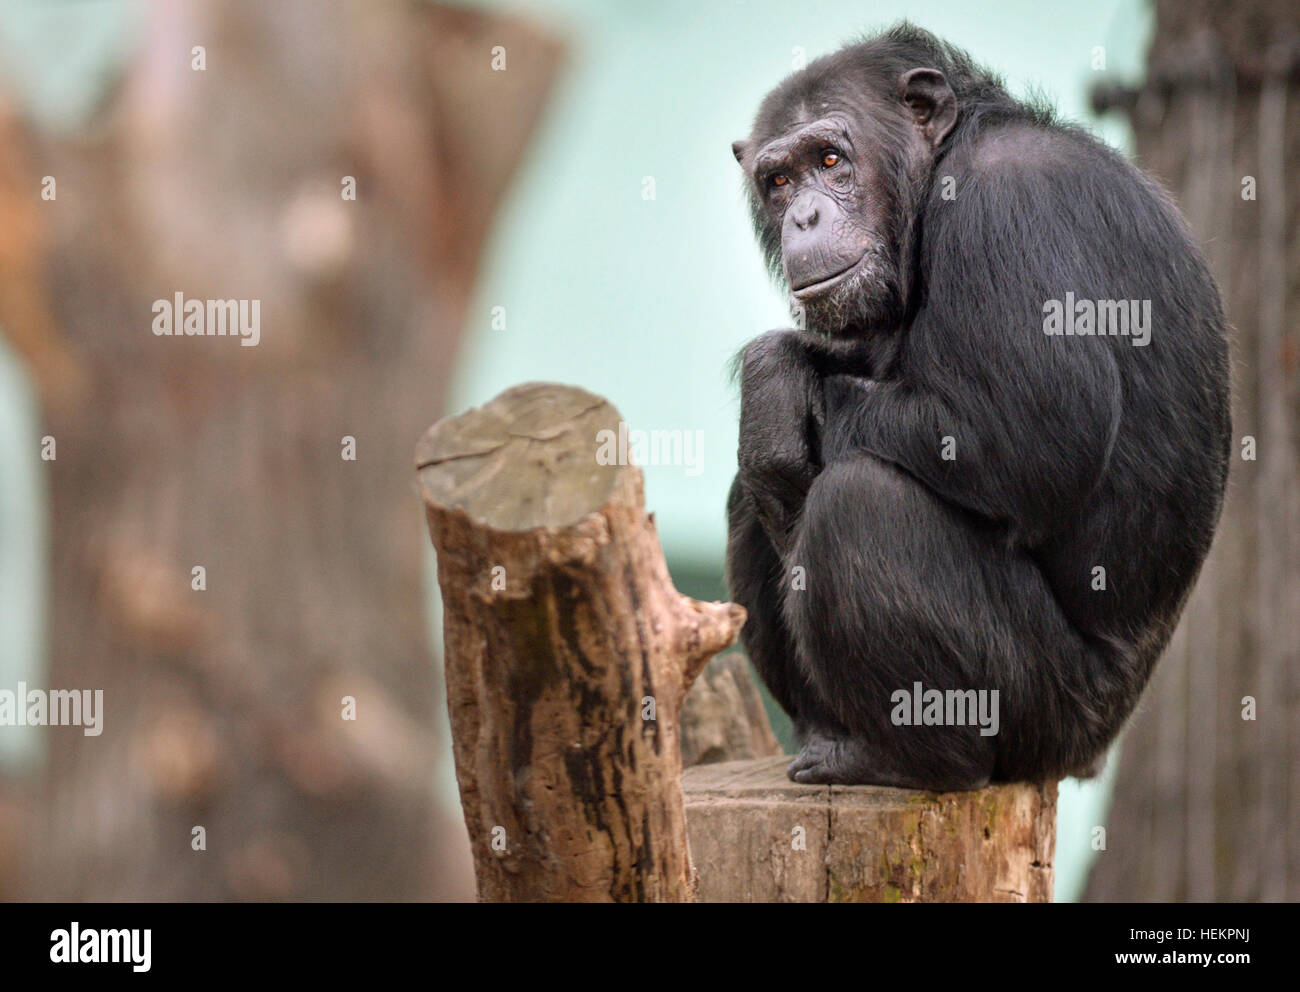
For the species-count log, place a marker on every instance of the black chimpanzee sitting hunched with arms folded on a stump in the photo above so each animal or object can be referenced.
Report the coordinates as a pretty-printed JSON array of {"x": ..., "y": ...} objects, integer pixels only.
[{"x": 985, "y": 475}]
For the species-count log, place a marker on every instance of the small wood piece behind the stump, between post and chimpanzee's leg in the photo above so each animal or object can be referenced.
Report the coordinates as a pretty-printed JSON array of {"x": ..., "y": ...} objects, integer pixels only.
[{"x": 723, "y": 718}]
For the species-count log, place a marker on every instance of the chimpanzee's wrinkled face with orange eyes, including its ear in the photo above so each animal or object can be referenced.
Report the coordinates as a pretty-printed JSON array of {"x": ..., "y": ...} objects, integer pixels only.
[{"x": 835, "y": 180}]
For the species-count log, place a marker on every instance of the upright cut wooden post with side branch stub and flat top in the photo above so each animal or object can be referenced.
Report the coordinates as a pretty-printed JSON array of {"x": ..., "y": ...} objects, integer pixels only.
[{"x": 569, "y": 652}]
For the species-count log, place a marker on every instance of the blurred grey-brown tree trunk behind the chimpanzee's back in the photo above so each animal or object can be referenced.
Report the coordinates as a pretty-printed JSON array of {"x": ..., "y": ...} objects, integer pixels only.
[{"x": 1208, "y": 803}]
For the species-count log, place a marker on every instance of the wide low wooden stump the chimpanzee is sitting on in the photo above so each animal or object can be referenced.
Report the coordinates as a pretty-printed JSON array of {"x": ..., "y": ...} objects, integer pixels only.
[{"x": 759, "y": 838}]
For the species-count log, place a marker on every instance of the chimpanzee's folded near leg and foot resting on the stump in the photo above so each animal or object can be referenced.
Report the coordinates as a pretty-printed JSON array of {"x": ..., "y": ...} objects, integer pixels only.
[{"x": 904, "y": 588}]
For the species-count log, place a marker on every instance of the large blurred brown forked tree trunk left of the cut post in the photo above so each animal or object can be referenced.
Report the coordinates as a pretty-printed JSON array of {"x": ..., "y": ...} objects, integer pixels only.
[{"x": 224, "y": 708}]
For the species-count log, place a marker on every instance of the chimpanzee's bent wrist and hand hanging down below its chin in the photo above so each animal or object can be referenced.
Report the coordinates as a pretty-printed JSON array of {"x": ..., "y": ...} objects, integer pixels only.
[{"x": 782, "y": 415}]
